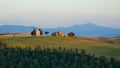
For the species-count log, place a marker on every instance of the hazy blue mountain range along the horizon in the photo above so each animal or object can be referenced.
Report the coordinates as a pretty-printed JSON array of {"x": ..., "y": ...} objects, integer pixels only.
[{"x": 87, "y": 30}]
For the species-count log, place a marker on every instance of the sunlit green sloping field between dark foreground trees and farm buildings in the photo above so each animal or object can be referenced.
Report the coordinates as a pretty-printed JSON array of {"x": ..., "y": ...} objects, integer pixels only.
[{"x": 93, "y": 47}]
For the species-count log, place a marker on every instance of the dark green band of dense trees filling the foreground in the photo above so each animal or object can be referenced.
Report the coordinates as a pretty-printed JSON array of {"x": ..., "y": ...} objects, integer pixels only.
[{"x": 52, "y": 58}]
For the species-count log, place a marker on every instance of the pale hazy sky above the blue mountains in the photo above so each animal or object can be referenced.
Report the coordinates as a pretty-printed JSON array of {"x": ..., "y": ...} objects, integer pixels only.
[{"x": 60, "y": 13}]
